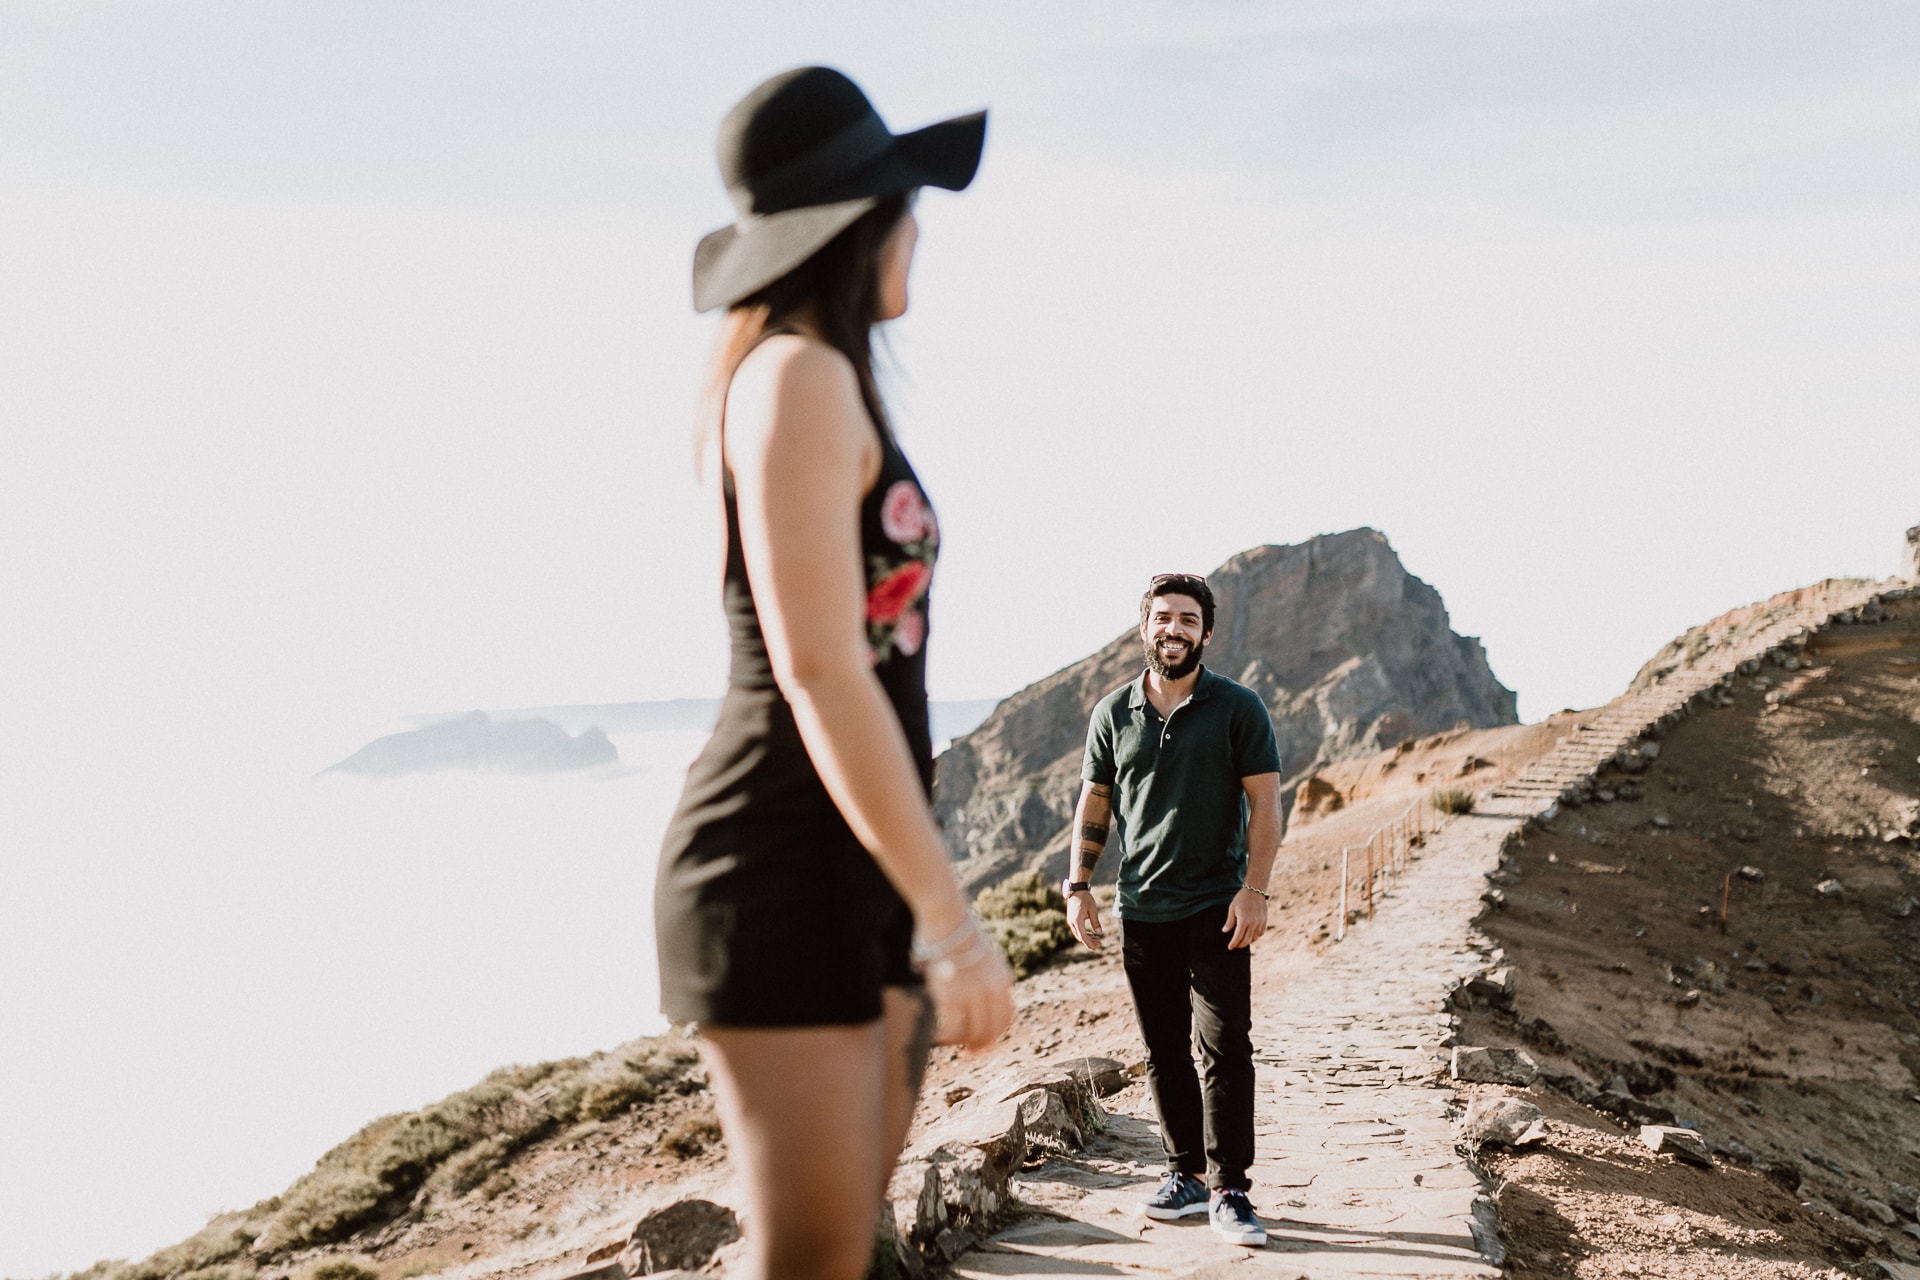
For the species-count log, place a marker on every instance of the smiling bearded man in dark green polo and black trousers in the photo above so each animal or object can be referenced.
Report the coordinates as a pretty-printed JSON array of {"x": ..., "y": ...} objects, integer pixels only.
[{"x": 1184, "y": 769}]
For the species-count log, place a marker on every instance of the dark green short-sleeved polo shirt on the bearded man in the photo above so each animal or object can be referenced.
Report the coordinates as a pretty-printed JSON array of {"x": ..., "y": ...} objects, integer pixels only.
[{"x": 1180, "y": 811}]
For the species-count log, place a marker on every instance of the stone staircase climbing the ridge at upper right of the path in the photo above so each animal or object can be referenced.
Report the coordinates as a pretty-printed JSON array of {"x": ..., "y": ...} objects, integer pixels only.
[{"x": 1627, "y": 719}]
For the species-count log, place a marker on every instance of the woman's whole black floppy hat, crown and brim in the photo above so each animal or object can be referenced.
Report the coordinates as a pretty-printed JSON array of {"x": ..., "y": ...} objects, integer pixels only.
[{"x": 804, "y": 156}]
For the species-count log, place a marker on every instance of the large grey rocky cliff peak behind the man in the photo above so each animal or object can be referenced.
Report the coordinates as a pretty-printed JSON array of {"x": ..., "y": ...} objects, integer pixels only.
[{"x": 1349, "y": 652}]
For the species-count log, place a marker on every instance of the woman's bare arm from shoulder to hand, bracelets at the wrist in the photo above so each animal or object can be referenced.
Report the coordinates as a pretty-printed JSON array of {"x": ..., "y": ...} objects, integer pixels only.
[{"x": 804, "y": 454}]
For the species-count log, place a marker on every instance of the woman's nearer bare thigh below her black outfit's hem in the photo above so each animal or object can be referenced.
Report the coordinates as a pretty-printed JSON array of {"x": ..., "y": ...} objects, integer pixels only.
[{"x": 807, "y": 1126}]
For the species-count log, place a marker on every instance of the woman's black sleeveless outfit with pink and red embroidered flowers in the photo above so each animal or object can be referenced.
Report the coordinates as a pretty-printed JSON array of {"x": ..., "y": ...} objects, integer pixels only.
[{"x": 769, "y": 913}]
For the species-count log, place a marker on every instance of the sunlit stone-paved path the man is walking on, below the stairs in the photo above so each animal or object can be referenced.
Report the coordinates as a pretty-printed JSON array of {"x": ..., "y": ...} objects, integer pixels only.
[{"x": 1356, "y": 1172}]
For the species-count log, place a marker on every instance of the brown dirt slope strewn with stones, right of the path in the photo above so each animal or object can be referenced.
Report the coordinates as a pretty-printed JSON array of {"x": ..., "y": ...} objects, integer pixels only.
[{"x": 1788, "y": 1035}]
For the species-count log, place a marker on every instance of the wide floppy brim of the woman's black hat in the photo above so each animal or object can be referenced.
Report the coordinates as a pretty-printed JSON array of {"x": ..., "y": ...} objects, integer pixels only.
[{"x": 744, "y": 258}]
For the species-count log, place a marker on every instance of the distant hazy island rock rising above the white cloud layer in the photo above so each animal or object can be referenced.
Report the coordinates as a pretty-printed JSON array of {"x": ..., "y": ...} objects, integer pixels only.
[{"x": 477, "y": 742}]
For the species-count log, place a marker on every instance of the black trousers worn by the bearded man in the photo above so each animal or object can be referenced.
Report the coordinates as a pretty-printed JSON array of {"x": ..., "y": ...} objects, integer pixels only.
[{"x": 1193, "y": 995}]
